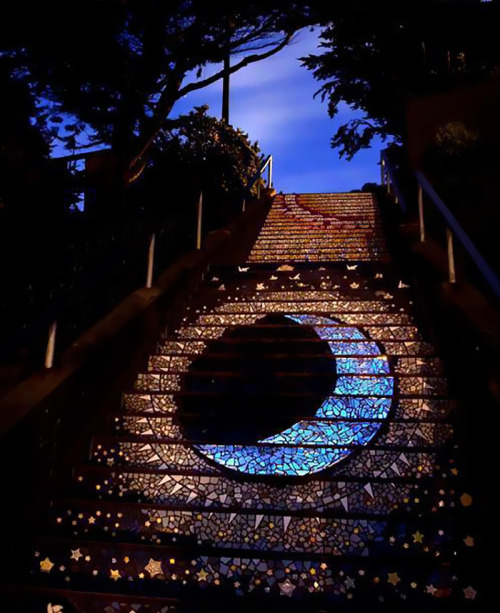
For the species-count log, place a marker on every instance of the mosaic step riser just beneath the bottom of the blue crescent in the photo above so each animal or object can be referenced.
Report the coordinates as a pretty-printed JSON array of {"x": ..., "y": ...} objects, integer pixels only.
[{"x": 188, "y": 488}]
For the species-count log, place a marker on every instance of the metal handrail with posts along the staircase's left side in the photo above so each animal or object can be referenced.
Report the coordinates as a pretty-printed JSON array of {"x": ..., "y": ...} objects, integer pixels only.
[{"x": 51, "y": 320}]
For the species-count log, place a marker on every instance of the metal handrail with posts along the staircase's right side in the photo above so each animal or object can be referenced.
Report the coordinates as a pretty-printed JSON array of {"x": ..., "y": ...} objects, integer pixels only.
[{"x": 453, "y": 229}]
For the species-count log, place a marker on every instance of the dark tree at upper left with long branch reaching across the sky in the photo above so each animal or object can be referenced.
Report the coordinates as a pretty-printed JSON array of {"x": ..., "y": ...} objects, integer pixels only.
[{"x": 119, "y": 66}]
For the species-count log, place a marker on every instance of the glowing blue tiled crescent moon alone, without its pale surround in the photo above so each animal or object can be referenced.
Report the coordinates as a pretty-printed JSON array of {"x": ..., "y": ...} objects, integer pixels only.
[{"x": 363, "y": 391}]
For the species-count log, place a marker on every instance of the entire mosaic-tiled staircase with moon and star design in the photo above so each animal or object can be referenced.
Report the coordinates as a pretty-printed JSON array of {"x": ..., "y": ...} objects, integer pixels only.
[{"x": 289, "y": 448}]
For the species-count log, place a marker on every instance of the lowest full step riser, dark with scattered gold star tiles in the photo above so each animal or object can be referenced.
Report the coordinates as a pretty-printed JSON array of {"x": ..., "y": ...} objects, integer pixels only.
[{"x": 198, "y": 574}]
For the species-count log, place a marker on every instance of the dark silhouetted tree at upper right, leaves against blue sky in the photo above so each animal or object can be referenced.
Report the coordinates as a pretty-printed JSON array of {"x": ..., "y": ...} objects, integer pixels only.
[{"x": 379, "y": 55}]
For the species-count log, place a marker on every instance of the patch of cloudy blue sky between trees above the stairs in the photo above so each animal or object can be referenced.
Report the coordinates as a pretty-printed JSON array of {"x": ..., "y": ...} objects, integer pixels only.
[{"x": 273, "y": 100}]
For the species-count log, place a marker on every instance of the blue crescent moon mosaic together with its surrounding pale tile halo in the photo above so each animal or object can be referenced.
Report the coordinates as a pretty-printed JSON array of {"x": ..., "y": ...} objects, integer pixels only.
[{"x": 360, "y": 414}]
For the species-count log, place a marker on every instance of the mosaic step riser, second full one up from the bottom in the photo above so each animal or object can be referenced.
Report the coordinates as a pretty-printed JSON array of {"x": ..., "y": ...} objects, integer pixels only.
[{"x": 240, "y": 528}]
